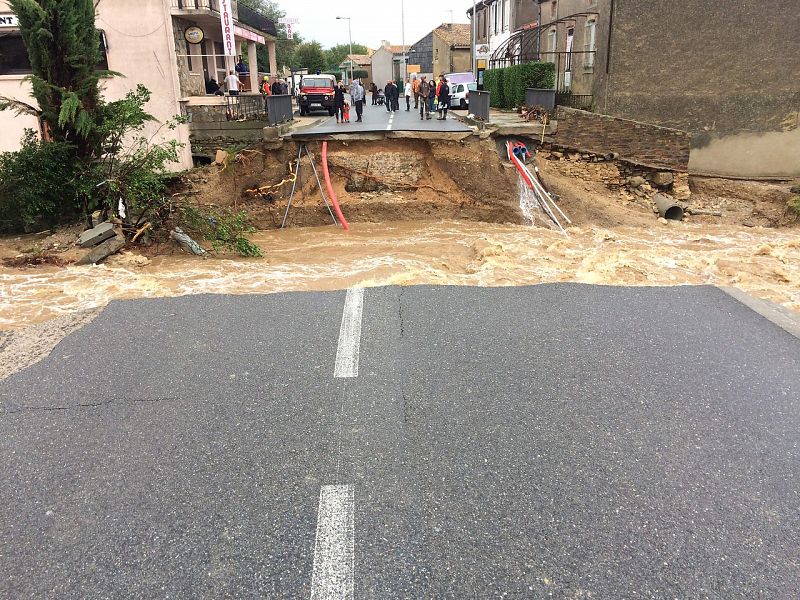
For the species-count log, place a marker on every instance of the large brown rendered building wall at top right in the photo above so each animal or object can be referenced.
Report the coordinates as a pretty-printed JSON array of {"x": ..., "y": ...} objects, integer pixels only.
[{"x": 711, "y": 69}]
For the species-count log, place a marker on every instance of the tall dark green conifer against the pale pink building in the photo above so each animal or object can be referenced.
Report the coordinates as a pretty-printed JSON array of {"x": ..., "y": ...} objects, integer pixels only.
[{"x": 64, "y": 51}]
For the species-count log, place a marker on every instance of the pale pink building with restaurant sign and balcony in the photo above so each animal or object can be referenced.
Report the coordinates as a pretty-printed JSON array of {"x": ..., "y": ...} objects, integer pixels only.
[{"x": 172, "y": 47}]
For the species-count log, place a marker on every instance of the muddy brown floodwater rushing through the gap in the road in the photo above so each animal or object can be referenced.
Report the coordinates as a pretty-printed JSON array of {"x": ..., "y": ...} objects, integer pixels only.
[{"x": 764, "y": 262}]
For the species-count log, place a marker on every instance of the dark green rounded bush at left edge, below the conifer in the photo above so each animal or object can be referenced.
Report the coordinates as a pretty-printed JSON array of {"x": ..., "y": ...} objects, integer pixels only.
[{"x": 37, "y": 184}]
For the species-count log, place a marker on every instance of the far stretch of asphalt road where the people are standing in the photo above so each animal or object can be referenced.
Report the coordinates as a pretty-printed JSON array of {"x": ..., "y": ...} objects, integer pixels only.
[{"x": 378, "y": 119}]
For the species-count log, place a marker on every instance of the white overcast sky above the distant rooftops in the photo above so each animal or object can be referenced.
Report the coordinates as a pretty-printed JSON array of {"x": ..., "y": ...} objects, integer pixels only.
[{"x": 372, "y": 21}]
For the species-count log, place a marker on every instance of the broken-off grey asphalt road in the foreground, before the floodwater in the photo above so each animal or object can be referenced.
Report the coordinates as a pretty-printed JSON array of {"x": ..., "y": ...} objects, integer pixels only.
[{"x": 560, "y": 440}]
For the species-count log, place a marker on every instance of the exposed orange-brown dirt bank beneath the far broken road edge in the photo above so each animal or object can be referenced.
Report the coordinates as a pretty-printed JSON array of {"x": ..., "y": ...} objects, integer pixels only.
[{"x": 374, "y": 181}]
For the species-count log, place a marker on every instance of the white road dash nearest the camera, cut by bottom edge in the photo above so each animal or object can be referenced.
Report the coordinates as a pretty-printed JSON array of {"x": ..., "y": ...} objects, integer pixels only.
[{"x": 332, "y": 578}]
